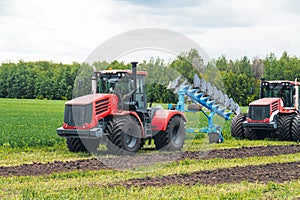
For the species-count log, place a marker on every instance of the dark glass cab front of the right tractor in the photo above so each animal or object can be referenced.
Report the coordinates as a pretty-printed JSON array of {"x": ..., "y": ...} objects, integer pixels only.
[{"x": 285, "y": 91}]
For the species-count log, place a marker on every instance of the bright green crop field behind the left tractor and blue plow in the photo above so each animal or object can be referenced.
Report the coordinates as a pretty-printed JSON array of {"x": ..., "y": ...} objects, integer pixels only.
[{"x": 33, "y": 123}]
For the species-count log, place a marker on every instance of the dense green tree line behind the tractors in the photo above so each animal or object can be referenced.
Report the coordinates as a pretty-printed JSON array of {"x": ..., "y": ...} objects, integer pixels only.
[{"x": 238, "y": 78}]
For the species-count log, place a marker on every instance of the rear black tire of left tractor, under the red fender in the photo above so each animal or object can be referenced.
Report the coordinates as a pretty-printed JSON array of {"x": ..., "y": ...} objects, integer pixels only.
[{"x": 172, "y": 139}]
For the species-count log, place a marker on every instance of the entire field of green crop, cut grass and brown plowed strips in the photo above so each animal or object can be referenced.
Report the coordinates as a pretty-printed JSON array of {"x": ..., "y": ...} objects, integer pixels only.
[{"x": 36, "y": 164}]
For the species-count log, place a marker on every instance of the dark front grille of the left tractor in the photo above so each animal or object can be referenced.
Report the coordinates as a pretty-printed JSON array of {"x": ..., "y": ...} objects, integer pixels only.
[{"x": 77, "y": 115}]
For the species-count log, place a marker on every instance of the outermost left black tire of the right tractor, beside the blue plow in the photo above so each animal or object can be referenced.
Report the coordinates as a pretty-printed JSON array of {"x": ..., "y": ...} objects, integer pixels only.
[{"x": 236, "y": 127}]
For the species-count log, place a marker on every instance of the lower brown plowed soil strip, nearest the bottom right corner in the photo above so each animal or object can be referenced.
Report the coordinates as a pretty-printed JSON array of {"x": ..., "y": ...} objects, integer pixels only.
[{"x": 276, "y": 172}]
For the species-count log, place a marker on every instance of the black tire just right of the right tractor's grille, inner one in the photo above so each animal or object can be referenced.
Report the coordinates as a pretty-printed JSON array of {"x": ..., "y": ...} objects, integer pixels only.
[{"x": 283, "y": 130}]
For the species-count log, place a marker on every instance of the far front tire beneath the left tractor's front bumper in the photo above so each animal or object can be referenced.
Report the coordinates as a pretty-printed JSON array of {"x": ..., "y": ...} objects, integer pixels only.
[{"x": 82, "y": 145}]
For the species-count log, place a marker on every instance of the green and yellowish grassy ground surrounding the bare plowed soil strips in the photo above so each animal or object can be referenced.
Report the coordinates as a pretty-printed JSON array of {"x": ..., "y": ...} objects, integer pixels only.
[{"x": 28, "y": 135}]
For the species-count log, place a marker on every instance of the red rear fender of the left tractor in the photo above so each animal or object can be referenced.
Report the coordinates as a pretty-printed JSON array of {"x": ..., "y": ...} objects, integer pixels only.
[{"x": 162, "y": 117}]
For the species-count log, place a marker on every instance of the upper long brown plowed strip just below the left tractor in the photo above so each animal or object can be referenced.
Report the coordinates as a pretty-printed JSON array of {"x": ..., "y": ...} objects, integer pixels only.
[{"x": 129, "y": 162}]
